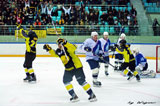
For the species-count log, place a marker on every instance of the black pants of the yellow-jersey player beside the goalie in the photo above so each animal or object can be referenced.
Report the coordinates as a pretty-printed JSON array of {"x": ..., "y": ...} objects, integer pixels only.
[{"x": 131, "y": 65}]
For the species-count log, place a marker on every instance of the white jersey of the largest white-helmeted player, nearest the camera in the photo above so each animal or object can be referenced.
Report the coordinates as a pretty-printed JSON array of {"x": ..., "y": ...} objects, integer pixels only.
[{"x": 90, "y": 43}]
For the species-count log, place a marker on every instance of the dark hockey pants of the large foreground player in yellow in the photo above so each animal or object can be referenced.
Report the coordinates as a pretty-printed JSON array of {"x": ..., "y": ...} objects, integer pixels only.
[{"x": 78, "y": 73}]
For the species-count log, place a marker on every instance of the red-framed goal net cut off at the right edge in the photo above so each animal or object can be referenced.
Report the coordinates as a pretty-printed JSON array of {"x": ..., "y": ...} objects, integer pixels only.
[{"x": 158, "y": 59}]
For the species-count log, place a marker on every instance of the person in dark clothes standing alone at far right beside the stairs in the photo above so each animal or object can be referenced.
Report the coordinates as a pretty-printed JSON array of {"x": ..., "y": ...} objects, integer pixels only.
[{"x": 156, "y": 27}]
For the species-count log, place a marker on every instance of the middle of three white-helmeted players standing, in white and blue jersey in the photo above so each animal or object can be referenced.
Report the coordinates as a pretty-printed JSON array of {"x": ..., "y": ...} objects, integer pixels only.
[{"x": 105, "y": 45}]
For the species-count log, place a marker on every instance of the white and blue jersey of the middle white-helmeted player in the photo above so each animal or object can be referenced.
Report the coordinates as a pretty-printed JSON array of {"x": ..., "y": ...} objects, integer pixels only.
[{"x": 105, "y": 46}]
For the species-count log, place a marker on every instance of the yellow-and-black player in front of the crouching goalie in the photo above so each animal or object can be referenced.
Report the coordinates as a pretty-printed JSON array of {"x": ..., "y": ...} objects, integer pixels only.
[{"x": 129, "y": 60}]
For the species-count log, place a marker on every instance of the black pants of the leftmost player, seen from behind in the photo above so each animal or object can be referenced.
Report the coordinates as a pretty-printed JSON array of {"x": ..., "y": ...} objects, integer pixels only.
[{"x": 29, "y": 58}]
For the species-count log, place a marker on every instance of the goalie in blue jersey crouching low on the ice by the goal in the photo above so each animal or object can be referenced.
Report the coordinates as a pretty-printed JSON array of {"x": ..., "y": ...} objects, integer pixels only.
[{"x": 142, "y": 65}]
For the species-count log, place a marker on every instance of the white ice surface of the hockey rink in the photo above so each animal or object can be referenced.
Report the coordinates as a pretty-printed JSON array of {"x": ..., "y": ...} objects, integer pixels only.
[{"x": 50, "y": 91}]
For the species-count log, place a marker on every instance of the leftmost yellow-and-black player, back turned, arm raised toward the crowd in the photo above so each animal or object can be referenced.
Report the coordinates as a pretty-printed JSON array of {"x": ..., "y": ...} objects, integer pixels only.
[{"x": 30, "y": 41}]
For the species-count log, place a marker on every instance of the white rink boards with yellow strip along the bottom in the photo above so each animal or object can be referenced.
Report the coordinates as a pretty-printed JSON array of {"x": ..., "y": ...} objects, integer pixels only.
[{"x": 18, "y": 50}]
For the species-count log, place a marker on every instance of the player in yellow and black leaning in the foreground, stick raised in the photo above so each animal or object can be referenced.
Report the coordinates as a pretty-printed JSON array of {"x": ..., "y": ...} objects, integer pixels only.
[{"x": 73, "y": 67}]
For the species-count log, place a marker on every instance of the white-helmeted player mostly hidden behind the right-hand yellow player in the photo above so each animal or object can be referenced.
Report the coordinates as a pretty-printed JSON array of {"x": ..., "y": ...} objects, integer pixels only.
[{"x": 119, "y": 57}]
